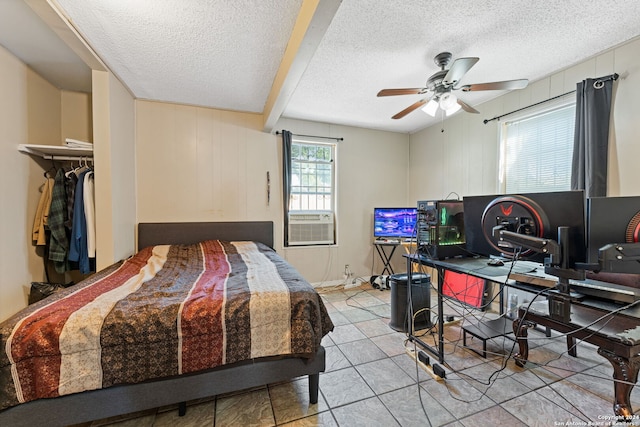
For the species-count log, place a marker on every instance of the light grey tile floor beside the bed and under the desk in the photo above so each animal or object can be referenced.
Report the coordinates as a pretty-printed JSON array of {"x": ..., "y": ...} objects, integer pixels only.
[{"x": 370, "y": 380}]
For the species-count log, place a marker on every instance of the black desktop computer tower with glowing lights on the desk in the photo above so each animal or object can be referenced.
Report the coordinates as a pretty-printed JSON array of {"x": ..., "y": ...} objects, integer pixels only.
[{"x": 440, "y": 229}]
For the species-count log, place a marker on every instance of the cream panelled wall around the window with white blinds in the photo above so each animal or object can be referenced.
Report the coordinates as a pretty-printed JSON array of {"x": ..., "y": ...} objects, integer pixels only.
[{"x": 464, "y": 158}]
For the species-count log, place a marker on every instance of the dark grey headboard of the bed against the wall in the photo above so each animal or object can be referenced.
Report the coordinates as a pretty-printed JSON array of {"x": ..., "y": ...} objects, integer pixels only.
[{"x": 173, "y": 233}]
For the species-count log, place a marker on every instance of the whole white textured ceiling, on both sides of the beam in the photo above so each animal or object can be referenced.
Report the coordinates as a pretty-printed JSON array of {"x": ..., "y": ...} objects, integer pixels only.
[{"x": 226, "y": 54}]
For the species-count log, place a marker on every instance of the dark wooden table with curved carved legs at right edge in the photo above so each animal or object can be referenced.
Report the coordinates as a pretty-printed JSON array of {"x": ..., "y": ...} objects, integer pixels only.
[{"x": 616, "y": 335}]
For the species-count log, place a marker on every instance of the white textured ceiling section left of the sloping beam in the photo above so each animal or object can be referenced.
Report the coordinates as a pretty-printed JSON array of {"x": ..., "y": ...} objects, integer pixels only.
[{"x": 215, "y": 53}]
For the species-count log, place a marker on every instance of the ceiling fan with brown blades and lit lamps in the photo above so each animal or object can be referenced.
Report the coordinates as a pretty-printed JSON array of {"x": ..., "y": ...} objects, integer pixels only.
[{"x": 440, "y": 86}]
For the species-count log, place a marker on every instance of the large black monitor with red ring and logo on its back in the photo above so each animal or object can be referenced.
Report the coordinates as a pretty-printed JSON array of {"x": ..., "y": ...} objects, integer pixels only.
[{"x": 533, "y": 214}]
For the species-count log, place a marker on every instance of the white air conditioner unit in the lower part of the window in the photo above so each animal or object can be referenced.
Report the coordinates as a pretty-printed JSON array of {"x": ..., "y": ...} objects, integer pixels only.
[{"x": 311, "y": 228}]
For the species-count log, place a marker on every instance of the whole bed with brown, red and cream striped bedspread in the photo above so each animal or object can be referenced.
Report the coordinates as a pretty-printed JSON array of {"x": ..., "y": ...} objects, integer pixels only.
[{"x": 235, "y": 341}]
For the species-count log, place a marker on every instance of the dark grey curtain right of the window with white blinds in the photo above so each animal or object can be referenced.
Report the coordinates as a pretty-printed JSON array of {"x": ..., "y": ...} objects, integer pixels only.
[{"x": 591, "y": 138}]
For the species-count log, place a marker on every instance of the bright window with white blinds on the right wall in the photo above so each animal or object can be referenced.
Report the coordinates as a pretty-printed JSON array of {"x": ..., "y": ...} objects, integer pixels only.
[{"x": 536, "y": 151}]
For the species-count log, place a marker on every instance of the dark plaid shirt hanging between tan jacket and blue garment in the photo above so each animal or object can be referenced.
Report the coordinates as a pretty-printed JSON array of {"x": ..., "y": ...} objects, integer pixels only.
[{"x": 59, "y": 241}]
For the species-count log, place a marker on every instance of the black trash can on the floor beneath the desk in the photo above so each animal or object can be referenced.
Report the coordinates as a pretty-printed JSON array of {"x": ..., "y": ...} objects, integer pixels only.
[{"x": 420, "y": 299}]
